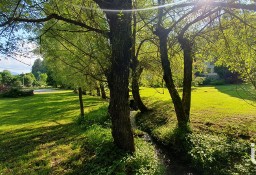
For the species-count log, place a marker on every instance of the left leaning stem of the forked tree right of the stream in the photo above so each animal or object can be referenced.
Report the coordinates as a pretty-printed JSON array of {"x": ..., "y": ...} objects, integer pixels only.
[{"x": 168, "y": 78}]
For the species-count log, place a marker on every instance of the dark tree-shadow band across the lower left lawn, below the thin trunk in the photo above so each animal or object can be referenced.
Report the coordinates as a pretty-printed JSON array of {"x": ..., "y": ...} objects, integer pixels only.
[{"x": 20, "y": 142}]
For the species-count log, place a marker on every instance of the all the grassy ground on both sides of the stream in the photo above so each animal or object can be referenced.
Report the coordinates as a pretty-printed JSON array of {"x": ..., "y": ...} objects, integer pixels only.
[{"x": 43, "y": 134}]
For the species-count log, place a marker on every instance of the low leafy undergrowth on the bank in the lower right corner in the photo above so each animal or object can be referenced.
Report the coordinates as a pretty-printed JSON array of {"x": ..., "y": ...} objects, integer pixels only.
[{"x": 219, "y": 154}]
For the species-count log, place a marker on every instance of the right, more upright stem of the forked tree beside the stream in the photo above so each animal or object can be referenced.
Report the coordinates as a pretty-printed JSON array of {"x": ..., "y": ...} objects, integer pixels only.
[{"x": 187, "y": 80}]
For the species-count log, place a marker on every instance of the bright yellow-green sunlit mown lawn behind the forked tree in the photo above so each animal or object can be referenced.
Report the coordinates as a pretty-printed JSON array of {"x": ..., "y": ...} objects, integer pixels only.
[{"x": 221, "y": 109}]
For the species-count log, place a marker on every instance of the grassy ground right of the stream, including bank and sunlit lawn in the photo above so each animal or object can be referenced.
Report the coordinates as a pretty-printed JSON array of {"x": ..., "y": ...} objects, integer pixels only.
[{"x": 223, "y": 123}]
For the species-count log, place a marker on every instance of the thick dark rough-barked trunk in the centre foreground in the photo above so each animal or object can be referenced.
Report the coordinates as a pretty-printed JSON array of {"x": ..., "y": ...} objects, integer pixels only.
[{"x": 120, "y": 39}]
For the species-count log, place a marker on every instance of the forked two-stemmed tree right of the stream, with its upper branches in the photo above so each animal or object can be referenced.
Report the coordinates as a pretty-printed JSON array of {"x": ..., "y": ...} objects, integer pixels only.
[{"x": 185, "y": 20}]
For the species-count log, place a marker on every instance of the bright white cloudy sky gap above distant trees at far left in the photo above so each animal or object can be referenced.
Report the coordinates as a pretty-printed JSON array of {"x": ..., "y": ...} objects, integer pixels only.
[{"x": 19, "y": 62}]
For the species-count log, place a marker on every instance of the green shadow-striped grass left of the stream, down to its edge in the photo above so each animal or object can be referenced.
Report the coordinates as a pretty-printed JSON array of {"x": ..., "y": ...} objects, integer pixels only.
[{"x": 40, "y": 135}]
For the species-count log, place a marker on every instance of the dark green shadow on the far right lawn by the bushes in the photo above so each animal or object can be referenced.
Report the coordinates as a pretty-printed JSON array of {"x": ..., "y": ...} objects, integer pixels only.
[{"x": 242, "y": 91}]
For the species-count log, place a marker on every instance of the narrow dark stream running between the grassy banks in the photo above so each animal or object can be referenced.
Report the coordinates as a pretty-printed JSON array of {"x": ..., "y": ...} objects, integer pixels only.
[{"x": 173, "y": 166}]
